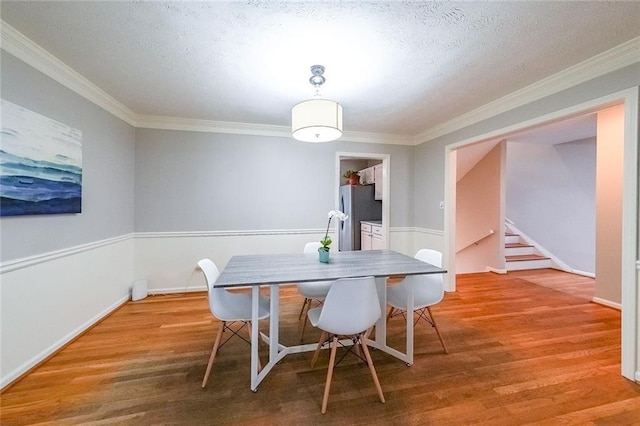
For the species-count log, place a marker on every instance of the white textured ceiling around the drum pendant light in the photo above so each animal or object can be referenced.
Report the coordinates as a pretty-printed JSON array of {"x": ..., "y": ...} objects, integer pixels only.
[{"x": 397, "y": 67}]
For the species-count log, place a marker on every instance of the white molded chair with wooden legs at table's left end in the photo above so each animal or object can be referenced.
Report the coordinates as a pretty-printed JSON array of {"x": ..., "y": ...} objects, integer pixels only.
[{"x": 228, "y": 308}]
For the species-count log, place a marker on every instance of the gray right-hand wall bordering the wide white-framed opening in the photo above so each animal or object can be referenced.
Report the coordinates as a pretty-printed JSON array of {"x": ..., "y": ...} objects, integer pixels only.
[{"x": 429, "y": 160}]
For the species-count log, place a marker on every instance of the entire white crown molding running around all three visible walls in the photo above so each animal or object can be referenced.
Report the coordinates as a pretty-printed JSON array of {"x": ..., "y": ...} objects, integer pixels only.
[{"x": 16, "y": 44}]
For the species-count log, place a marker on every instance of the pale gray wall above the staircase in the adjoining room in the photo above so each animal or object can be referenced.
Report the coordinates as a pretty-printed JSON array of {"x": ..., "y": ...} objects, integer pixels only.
[{"x": 551, "y": 198}]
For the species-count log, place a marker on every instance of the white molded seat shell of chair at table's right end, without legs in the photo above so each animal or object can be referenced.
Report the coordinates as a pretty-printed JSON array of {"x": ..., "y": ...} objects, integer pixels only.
[{"x": 428, "y": 289}]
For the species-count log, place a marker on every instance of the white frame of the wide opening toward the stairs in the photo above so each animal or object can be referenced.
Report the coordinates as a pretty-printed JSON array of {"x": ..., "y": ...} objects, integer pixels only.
[{"x": 630, "y": 329}]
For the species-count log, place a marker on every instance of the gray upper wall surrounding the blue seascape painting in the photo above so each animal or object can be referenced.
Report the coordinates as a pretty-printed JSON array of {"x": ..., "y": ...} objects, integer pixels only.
[{"x": 107, "y": 161}]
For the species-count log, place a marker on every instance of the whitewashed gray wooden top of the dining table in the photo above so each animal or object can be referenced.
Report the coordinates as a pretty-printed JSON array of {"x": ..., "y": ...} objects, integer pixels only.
[{"x": 301, "y": 267}]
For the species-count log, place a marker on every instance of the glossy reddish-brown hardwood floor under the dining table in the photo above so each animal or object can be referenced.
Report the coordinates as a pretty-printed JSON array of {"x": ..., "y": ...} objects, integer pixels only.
[{"x": 520, "y": 353}]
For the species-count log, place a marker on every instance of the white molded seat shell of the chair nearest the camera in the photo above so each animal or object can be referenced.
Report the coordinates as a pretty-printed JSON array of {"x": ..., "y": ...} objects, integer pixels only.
[{"x": 351, "y": 306}]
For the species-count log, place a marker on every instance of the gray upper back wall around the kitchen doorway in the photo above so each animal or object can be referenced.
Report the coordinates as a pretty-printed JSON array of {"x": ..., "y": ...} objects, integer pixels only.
[{"x": 192, "y": 181}]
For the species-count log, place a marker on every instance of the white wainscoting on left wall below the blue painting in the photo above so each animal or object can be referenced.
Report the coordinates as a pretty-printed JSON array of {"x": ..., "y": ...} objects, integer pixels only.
[{"x": 48, "y": 300}]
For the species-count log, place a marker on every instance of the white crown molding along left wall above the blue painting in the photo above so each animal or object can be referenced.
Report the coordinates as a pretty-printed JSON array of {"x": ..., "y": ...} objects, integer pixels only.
[{"x": 15, "y": 43}]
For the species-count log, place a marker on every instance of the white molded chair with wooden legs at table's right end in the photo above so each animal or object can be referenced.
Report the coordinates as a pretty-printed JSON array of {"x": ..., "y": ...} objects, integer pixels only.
[{"x": 428, "y": 290}]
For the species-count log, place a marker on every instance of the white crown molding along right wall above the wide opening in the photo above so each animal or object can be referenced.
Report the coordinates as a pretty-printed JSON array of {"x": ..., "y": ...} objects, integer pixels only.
[{"x": 611, "y": 60}]
